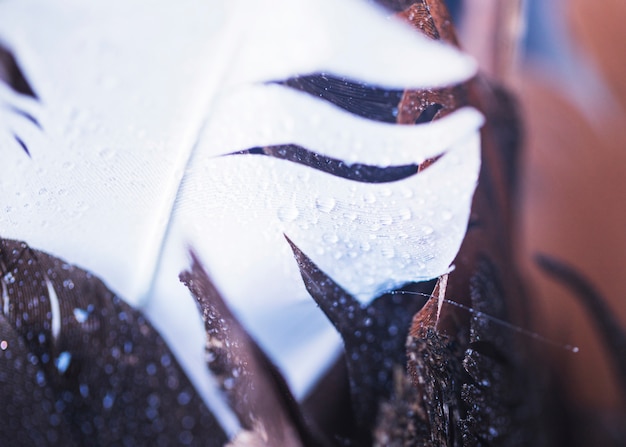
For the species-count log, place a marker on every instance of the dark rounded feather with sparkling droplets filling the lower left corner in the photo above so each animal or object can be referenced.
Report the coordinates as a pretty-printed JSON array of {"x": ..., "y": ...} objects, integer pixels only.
[{"x": 78, "y": 366}]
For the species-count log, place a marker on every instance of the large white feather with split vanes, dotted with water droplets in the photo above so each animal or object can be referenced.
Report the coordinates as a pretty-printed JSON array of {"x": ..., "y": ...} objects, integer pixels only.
[{"x": 137, "y": 98}]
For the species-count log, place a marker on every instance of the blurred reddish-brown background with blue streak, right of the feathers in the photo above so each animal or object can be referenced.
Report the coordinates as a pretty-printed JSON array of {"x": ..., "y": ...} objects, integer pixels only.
[{"x": 564, "y": 60}]
